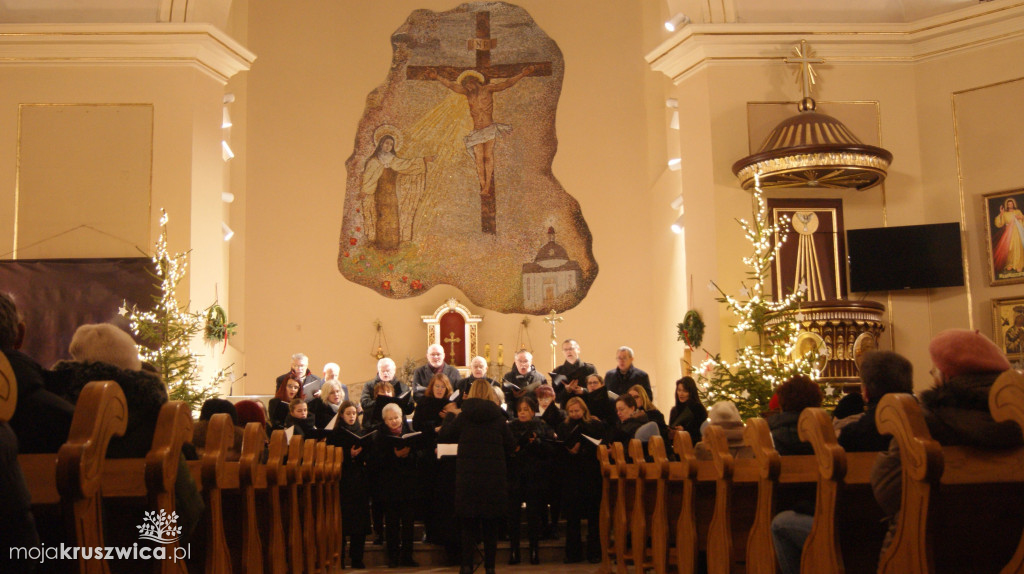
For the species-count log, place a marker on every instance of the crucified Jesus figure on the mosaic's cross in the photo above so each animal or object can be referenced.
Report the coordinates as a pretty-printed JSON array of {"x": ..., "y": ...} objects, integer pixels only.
[{"x": 481, "y": 142}]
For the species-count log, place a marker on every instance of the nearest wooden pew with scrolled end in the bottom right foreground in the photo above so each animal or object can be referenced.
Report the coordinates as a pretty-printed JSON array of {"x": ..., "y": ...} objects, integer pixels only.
[{"x": 946, "y": 491}]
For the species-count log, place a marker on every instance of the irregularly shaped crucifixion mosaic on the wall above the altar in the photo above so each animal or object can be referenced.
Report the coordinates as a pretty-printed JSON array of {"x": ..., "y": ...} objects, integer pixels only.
[{"x": 450, "y": 181}]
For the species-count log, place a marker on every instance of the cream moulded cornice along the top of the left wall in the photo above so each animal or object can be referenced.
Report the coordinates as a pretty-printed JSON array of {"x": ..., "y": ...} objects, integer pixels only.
[{"x": 201, "y": 46}]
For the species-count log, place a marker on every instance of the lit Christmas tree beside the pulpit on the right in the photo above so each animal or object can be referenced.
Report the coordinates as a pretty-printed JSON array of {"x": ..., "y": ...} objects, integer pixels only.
[{"x": 766, "y": 328}]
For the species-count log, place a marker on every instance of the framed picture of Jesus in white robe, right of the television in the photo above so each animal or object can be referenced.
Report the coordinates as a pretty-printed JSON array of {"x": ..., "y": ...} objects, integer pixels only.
[{"x": 1005, "y": 237}]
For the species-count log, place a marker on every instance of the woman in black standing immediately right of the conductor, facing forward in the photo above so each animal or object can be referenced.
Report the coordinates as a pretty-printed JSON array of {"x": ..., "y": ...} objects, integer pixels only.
[{"x": 529, "y": 476}]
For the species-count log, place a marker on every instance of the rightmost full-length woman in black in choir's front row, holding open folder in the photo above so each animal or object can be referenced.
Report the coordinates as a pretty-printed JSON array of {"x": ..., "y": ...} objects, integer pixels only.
[{"x": 581, "y": 480}]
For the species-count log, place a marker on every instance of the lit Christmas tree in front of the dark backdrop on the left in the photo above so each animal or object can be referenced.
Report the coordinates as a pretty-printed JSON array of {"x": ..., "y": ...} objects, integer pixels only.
[{"x": 168, "y": 330}]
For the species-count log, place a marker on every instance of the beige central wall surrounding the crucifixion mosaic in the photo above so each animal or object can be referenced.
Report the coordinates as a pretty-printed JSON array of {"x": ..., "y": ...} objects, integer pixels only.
[{"x": 306, "y": 96}]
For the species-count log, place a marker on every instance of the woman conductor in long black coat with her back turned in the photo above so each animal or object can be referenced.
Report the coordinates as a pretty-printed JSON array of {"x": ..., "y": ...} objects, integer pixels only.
[{"x": 481, "y": 489}]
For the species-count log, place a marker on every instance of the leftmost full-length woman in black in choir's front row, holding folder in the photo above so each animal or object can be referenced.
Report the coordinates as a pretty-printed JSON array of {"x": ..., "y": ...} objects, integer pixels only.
[{"x": 355, "y": 483}]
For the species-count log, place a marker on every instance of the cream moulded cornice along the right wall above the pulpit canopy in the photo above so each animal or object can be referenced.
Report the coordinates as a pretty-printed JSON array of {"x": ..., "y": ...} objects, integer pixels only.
[{"x": 698, "y": 46}]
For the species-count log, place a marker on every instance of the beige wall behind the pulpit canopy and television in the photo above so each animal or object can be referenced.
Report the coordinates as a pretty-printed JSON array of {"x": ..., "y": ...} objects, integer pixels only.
[{"x": 916, "y": 122}]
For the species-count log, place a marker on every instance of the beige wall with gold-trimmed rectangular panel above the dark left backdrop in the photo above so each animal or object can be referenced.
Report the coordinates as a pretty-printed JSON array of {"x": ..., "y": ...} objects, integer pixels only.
[{"x": 181, "y": 142}]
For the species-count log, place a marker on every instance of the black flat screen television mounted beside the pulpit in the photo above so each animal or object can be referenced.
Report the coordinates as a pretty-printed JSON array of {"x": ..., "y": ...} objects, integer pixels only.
[{"x": 907, "y": 257}]
